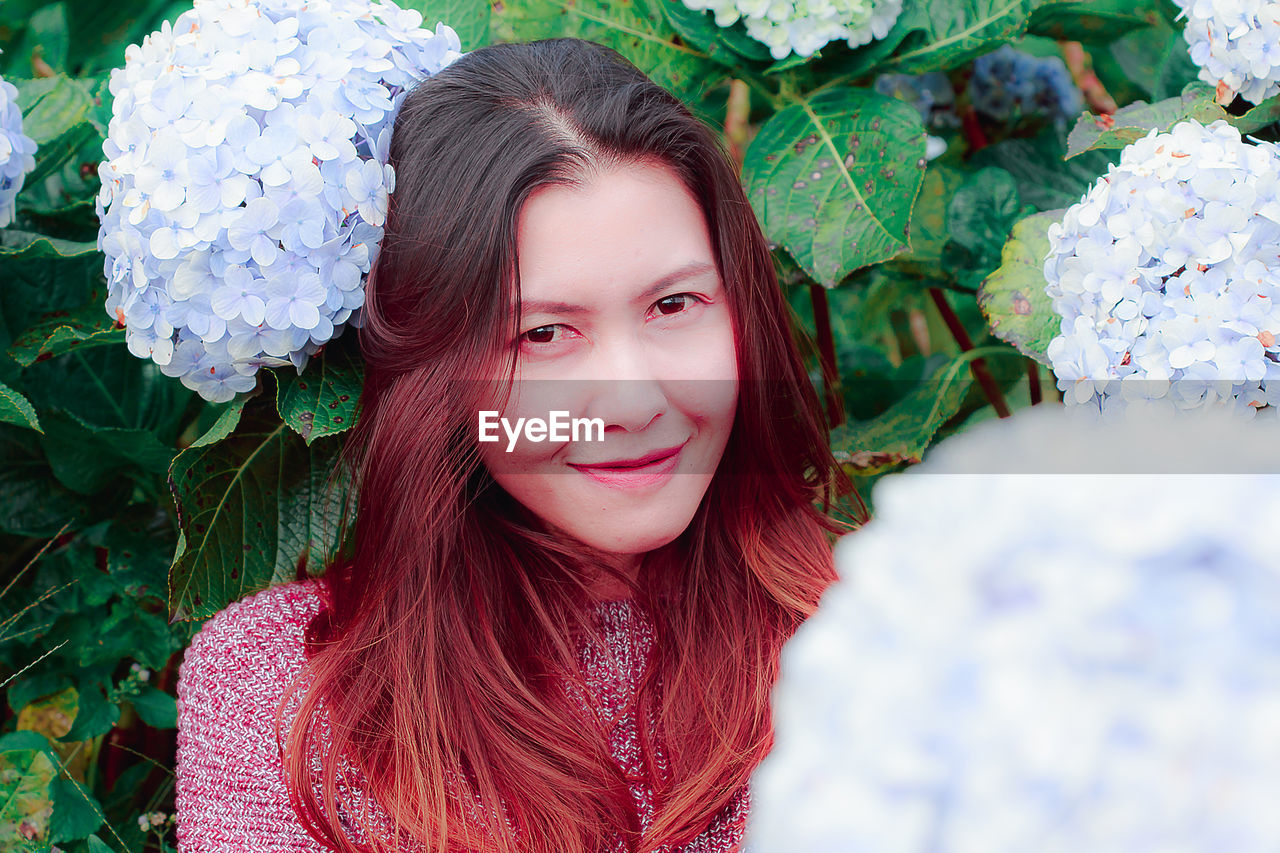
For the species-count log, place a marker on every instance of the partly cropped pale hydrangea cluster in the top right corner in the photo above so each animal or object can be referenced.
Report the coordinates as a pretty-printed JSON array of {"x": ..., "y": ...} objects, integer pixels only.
[{"x": 1237, "y": 47}]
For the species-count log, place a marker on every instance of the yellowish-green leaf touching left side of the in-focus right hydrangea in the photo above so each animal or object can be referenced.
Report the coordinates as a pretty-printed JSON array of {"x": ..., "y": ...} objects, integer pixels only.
[{"x": 1013, "y": 298}]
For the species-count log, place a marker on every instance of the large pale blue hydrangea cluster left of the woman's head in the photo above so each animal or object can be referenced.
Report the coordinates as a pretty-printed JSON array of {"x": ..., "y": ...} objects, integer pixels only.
[{"x": 246, "y": 181}]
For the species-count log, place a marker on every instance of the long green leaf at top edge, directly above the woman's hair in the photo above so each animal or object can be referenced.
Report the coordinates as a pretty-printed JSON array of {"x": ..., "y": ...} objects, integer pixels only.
[{"x": 637, "y": 29}]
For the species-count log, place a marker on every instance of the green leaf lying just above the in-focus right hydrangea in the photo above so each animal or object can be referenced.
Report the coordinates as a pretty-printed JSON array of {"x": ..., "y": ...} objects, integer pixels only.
[{"x": 1133, "y": 122}]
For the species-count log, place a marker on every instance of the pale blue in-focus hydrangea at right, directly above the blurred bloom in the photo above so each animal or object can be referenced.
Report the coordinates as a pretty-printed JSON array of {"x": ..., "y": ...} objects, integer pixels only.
[{"x": 1167, "y": 279}]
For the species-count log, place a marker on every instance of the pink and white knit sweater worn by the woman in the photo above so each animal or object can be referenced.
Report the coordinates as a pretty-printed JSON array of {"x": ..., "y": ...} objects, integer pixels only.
[{"x": 231, "y": 792}]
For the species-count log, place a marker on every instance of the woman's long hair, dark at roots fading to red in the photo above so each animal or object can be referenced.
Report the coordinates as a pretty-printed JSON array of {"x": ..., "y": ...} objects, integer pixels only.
[{"x": 450, "y": 626}]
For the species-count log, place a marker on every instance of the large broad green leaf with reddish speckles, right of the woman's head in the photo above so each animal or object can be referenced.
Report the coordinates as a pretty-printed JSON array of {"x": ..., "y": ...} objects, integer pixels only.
[{"x": 834, "y": 179}]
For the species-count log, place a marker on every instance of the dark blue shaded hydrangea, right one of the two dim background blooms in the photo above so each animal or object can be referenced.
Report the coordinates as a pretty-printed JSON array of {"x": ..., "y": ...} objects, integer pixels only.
[{"x": 1009, "y": 85}]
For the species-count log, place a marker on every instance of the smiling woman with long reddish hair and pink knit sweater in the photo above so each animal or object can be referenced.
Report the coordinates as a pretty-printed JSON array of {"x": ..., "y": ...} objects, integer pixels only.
[{"x": 584, "y": 632}]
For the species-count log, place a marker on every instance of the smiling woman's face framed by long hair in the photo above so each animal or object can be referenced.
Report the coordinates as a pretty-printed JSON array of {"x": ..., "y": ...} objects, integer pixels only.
[{"x": 625, "y": 320}]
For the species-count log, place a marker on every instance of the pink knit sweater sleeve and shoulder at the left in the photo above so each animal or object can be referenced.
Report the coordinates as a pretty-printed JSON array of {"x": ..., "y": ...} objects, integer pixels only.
[{"x": 231, "y": 793}]
